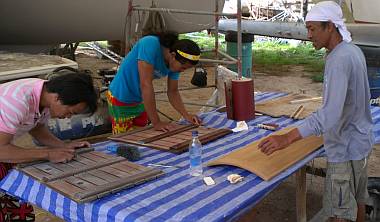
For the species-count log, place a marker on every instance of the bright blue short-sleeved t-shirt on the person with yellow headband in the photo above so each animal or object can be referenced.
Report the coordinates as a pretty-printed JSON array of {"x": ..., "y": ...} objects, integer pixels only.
[{"x": 126, "y": 84}]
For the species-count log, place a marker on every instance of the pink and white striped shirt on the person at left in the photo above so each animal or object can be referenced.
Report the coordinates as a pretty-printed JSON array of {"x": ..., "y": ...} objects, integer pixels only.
[{"x": 19, "y": 106}]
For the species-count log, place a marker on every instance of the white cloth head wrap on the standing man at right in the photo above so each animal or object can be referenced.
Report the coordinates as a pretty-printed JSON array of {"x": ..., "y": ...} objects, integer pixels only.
[{"x": 329, "y": 11}]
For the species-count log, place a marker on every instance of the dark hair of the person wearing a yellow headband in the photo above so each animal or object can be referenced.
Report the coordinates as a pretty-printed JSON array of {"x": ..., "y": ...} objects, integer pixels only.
[{"x": 170, "y": 40}]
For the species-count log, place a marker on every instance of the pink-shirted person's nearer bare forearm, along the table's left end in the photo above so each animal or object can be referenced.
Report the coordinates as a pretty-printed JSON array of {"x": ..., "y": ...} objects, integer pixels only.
[{"x": 10, "y": 153}]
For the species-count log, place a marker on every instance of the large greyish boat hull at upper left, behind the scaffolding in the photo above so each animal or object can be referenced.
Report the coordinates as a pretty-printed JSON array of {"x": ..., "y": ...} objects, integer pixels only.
[{"x": 54, "y": 21}]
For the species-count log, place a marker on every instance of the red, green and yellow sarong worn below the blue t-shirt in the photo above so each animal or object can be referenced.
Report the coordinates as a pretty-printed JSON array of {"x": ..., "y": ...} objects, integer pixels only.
[{"x": 125, "y": 116}]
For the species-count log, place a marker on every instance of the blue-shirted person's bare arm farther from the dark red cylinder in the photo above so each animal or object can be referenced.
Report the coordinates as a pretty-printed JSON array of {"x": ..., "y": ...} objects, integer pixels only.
[{"x": 147, "y": 92}]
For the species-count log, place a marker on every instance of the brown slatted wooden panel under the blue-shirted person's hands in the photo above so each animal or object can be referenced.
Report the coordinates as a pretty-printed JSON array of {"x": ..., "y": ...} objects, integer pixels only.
[{"x": 176, "y": 140}]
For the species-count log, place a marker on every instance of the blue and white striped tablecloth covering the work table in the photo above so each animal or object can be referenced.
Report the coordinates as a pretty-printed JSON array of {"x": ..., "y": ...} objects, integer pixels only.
[{"x": 175, "y": 196}]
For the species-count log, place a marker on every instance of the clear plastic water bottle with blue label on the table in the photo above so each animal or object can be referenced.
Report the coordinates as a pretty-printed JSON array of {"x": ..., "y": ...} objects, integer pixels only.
[{"x": 195, "y": 152}]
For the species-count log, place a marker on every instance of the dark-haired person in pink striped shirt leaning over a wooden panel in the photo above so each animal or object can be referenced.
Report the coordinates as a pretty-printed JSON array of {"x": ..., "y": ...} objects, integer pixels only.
[{"x": 25, "y": 106}]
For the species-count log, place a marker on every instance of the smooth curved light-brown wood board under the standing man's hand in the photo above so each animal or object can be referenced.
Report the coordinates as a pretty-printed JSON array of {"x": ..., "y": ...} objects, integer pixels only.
[{"x": 267, "y": 167}]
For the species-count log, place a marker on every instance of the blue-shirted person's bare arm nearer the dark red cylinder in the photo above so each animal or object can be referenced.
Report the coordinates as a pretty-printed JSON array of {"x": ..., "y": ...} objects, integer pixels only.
[{"x": 176, "y": 101}]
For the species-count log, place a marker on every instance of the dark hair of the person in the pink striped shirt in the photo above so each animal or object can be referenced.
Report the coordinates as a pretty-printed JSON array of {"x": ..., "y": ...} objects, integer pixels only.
[{"x": 74, "y": 88}]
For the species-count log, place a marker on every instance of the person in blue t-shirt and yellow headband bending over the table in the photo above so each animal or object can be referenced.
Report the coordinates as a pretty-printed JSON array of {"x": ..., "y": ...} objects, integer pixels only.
[{"x": 131, "y": 99}]
